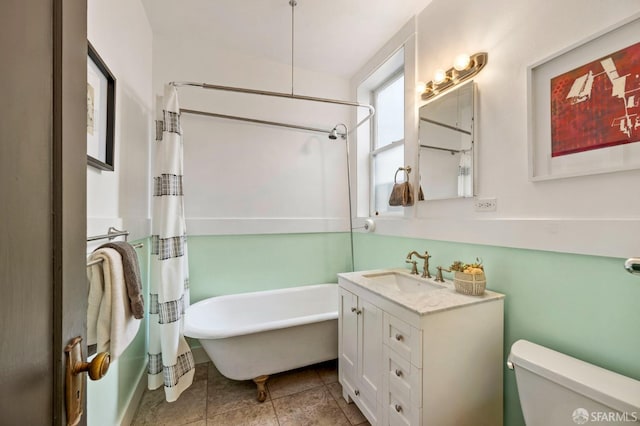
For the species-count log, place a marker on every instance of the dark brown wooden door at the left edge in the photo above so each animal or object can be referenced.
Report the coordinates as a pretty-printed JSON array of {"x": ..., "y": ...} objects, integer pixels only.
[{"x": 43, "y": 47}]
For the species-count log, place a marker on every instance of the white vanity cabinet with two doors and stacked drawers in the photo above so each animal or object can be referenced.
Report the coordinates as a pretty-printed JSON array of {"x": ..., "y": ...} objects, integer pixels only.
[{"x": 421, "y": 359}]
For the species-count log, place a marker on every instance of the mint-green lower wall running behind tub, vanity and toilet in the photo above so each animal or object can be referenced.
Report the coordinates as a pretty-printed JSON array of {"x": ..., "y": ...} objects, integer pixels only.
[{"x": 584, "y": 306}]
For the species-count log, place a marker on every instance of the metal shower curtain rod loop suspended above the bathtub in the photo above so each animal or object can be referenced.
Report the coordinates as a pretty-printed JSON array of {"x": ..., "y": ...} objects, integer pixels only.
[{"x": 370, "y": 108}]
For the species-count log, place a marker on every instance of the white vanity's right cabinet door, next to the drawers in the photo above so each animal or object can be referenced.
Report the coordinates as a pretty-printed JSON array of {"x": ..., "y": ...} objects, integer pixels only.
[{"x": 370, "y": 357}]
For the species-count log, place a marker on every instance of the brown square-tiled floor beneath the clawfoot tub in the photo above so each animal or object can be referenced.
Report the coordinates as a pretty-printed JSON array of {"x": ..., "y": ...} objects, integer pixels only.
[{"x": 307, "y": 396}]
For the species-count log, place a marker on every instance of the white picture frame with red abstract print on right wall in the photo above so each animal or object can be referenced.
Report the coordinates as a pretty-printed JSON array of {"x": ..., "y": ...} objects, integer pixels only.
[{"x": 584, "y": 112}]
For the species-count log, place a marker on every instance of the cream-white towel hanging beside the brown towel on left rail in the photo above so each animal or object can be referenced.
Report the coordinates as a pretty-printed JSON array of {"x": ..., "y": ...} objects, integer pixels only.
[{"x": 110, "y": 323}]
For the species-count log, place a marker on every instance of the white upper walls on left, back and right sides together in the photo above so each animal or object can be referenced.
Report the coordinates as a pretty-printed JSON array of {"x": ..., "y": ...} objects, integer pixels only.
[{"x": 244, "y": 178}]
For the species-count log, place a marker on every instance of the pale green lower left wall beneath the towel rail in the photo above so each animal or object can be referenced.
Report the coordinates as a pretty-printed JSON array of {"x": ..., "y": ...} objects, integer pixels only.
[{"x": 108, "y": 399}]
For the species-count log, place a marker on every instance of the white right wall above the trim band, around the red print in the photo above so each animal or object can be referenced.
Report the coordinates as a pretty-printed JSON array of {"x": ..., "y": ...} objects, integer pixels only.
[{"x": 517, "y": 35}]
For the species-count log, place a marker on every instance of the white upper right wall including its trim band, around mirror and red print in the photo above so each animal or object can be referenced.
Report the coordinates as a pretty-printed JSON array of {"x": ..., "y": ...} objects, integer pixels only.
[{"x": 589, "y": 214}]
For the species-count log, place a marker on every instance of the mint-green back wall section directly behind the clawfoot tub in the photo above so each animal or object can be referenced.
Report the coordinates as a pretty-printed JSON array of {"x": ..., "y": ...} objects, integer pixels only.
[{"x": 224, "y": 264}]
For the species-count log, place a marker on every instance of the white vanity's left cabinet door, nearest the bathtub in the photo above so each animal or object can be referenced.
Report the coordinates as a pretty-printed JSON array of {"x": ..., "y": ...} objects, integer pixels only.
[{"x": 348, "y": 341}]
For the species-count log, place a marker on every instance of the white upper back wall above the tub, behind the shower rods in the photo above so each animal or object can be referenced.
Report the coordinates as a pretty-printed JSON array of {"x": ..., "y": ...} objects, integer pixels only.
[{"x": 251, "y": 178}]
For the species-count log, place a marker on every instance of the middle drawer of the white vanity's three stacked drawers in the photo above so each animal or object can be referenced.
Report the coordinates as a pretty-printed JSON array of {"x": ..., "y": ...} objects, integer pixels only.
[{"x": 403, "y": 377}]
